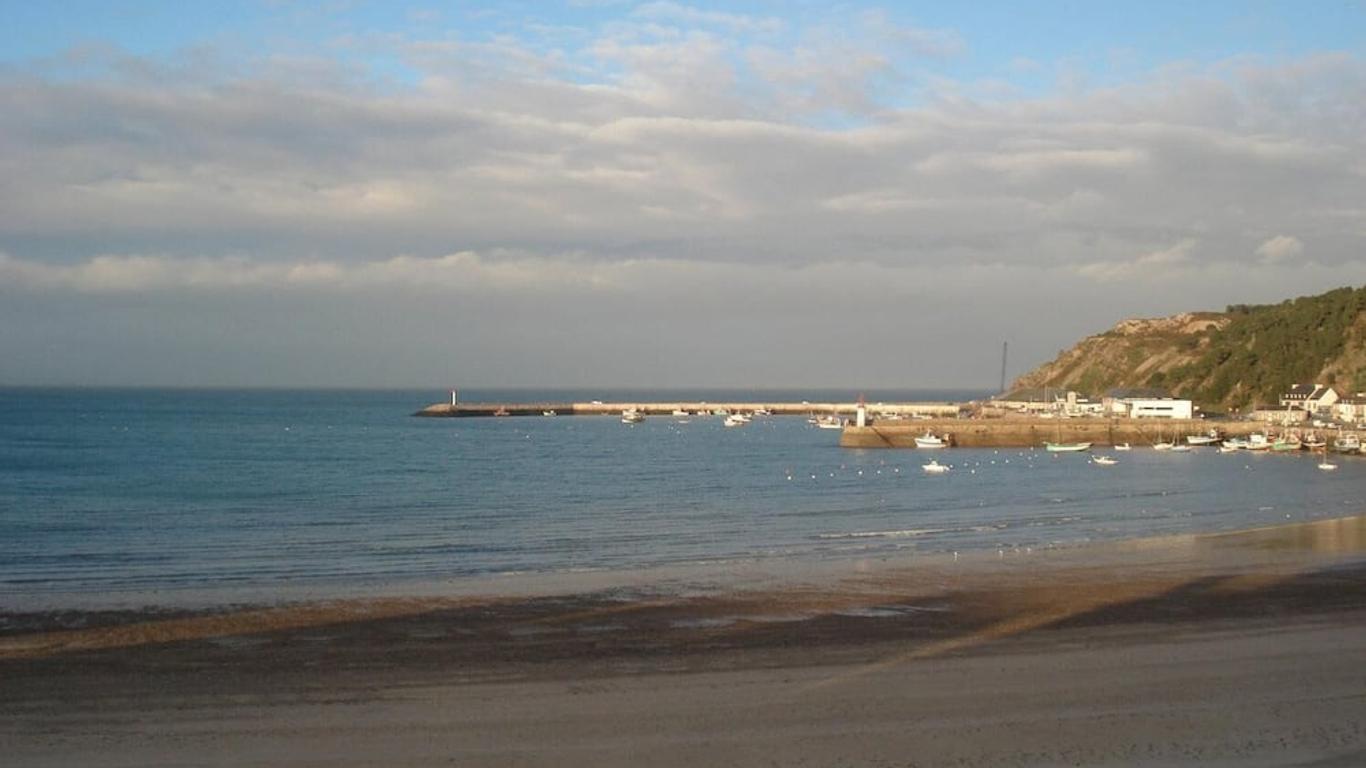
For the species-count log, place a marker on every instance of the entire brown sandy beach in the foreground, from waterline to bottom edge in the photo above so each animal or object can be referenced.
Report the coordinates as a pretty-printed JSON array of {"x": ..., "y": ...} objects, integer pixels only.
[{"x": 1240, "y": 650}]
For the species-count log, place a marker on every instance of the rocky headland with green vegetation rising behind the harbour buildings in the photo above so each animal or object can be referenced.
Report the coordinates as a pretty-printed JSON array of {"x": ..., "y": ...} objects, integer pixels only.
[{"x": 1237, "y": 359}]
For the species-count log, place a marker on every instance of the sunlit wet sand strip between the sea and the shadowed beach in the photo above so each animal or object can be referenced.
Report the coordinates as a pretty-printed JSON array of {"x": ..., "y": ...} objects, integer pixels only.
[{"x": 803, "y": 590}]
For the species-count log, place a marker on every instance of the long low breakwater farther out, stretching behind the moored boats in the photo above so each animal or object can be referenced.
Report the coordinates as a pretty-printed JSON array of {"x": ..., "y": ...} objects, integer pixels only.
[{"x": 940, "y": 411}]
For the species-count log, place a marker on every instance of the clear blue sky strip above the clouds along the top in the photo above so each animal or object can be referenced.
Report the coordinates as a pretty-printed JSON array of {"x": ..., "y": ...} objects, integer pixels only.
[{"x": 1024, "y": 44}]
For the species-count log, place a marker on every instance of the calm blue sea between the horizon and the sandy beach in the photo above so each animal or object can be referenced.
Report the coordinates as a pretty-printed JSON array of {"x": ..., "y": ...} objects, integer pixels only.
[{"x": 132, "y": 498}]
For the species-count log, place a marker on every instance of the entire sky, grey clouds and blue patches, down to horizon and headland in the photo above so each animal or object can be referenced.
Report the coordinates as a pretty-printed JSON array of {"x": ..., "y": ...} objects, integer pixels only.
[{"x": 656, "y": 195}]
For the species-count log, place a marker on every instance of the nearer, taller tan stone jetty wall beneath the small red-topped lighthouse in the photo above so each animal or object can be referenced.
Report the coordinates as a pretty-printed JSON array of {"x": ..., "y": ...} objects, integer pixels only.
[{"x": 1017, "y": 434}]
